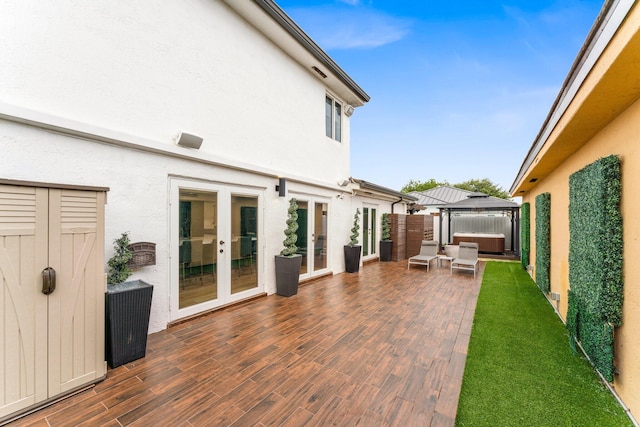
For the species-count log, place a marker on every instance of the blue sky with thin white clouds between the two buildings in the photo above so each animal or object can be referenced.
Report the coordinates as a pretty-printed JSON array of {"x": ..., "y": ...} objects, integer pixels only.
[{"x": 459, "y": 89}]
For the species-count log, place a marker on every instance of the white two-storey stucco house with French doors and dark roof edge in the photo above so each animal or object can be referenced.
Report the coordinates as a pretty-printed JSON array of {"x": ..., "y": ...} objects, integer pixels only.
[{"x": 198, "y": 120}]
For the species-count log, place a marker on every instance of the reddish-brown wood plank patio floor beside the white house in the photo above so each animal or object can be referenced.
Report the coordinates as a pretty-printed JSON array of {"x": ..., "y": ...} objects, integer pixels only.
[{"x": 382, "y": 347}]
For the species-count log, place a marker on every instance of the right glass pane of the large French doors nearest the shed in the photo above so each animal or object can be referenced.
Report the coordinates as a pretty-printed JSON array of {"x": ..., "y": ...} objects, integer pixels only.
[{"x": 244, "y": 243}]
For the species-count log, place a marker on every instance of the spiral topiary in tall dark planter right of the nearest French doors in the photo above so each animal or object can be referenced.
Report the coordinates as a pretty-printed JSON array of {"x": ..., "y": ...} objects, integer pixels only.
[{"x": 289, "y": 261}]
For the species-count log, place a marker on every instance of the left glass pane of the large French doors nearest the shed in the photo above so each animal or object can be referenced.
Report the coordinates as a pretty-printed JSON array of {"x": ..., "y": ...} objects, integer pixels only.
[{"x": 197, "y": 280}]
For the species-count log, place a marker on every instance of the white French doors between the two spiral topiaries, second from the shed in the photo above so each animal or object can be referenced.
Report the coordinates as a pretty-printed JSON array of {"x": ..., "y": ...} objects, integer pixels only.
[{"x": 313, "y": 218}]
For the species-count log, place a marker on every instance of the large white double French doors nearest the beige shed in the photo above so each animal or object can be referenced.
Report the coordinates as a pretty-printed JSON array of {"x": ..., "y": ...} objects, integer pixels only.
[{"x": 215, "y": 246}]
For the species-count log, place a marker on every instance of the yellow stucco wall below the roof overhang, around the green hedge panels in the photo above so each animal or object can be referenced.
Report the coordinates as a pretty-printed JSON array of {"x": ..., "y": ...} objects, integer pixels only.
[{"x": 621, "y": 137}]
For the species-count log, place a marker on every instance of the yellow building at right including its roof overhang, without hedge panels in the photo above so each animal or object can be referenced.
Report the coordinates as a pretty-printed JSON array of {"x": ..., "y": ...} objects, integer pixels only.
[{"x": 602, "y": 119}]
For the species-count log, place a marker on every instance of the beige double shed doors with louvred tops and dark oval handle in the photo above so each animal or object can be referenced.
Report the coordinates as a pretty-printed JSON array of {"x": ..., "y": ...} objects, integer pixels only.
[{"x": 50, "y": 344}]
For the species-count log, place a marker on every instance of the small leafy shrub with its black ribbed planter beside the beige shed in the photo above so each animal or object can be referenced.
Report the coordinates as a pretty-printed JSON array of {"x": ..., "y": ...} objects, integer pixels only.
[{"x": 127, "y": 308}]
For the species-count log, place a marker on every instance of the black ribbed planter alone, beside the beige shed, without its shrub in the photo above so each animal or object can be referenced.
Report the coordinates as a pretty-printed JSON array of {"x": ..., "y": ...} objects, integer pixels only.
[{"x": 127, "y": 310}]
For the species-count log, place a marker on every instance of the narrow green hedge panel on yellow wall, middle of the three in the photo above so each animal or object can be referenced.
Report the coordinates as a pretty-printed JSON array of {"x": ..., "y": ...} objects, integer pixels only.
[{"x": 543, "y": 241}]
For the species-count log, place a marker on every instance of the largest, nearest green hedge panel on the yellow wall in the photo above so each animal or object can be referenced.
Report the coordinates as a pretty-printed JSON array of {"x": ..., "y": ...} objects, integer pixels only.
[{"x": 595, "y": 260}]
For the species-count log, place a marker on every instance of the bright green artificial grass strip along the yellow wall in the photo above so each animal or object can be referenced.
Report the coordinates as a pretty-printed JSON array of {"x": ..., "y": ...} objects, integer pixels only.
[{"x": 520, "y": 370}]
